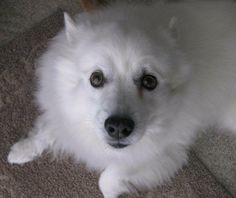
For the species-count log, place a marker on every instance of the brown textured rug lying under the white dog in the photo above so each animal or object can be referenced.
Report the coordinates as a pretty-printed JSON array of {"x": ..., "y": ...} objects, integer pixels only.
[{"x": 62, "y": 178}]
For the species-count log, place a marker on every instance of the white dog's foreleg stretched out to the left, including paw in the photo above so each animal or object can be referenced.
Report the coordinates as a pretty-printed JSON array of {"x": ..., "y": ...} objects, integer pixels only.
[{"x": 37, "y": 141}]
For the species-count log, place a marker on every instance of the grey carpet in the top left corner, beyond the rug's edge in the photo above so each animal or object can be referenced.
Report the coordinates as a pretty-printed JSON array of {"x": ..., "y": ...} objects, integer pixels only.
[{"x": 18, "y": 15}]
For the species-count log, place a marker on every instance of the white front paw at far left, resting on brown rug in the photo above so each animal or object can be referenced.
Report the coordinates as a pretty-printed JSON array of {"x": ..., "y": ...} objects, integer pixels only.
[{"x": 22, "y": 152}]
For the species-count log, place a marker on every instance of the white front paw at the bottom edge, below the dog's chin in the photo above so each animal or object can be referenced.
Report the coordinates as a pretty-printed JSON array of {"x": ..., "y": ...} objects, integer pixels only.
[{"x": 111, "y": 184}]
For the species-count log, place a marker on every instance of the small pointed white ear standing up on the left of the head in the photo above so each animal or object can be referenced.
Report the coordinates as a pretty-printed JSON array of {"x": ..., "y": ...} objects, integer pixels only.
[{"x": 70, "y": 27}]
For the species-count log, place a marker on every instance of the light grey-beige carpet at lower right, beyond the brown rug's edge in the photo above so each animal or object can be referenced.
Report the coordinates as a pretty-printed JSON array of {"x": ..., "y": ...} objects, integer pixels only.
[{"x": 218, "y": 152}]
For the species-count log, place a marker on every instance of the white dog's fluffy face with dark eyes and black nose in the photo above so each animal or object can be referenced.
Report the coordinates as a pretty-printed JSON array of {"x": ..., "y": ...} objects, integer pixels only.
[{"x": 118, "y": 82}]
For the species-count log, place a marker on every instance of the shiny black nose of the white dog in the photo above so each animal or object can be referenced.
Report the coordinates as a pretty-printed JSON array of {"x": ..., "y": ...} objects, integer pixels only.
[{"x": 119, "y": 127}]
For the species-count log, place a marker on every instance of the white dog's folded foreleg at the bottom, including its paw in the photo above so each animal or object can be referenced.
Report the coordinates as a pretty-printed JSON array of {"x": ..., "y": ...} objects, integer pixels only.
[{"x": 118, "y": 179}]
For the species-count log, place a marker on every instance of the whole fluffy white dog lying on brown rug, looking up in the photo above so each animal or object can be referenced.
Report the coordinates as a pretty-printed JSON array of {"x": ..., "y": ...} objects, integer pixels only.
[{"x": 125, "y": 89}]
